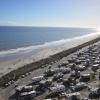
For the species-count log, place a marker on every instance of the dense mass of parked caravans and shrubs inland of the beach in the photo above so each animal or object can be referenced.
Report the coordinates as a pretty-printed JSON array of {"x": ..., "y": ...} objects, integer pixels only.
[{"x": 68, "y": 79}]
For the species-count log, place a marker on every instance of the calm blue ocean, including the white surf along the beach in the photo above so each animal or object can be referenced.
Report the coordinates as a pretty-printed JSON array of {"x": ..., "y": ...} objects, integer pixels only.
[{"x": 17, "y": 40}]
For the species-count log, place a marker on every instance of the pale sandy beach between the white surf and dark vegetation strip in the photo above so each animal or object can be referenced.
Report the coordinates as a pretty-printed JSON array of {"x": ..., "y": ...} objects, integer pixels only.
[{"x": 10, "y": 65}]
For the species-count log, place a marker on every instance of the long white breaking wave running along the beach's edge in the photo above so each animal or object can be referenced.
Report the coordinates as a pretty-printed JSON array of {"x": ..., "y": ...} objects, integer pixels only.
[{"x": 49, "y": 44}]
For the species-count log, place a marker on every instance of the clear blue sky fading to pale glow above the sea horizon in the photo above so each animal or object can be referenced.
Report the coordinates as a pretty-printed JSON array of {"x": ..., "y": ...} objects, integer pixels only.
[{"x": 53, "y": 13}]
